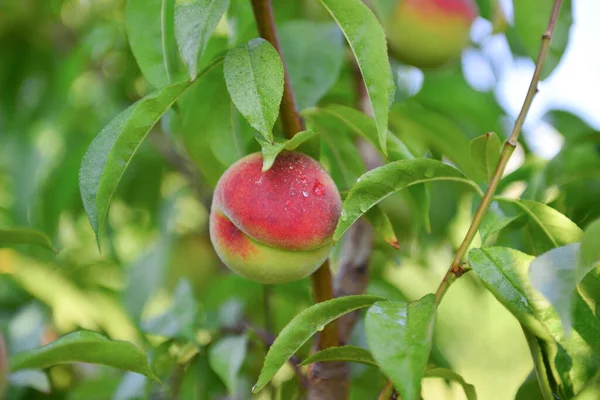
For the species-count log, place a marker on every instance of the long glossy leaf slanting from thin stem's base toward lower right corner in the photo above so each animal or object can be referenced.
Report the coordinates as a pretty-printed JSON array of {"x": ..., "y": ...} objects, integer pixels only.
[{"x": 504, "y": 272}]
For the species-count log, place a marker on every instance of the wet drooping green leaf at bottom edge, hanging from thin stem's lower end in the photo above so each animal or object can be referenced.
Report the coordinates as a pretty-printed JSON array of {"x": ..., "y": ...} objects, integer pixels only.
[{"x": 399, "y": 335}]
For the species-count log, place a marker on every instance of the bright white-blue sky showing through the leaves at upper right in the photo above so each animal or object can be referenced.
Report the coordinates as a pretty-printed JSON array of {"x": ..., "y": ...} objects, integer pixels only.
[{"x": 573, "y": 86}]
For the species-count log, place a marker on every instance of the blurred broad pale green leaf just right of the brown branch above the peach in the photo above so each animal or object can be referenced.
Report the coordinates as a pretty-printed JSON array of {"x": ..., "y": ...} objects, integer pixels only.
[{"x": 313, "y": 53}]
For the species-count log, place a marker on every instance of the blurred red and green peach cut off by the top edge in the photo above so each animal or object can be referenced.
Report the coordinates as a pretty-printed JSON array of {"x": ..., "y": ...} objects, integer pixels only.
[{"x": 429, "y": 33}]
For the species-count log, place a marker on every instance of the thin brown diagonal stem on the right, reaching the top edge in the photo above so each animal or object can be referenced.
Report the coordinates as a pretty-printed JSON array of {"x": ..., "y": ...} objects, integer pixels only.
[{"x": 456, "y": 270}]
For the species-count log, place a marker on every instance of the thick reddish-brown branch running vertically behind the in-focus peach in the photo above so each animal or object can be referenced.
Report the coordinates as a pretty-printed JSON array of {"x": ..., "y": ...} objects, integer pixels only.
[{"x": 292, "y": 124}]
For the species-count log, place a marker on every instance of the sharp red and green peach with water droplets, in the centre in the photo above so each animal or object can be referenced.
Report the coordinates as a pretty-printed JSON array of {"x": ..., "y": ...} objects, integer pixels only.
[{"x": 274, "y": 226}]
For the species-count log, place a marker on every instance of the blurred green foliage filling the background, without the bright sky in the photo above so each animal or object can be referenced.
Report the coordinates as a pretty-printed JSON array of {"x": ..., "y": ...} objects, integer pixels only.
[{"x": 67, "y": 68}]
